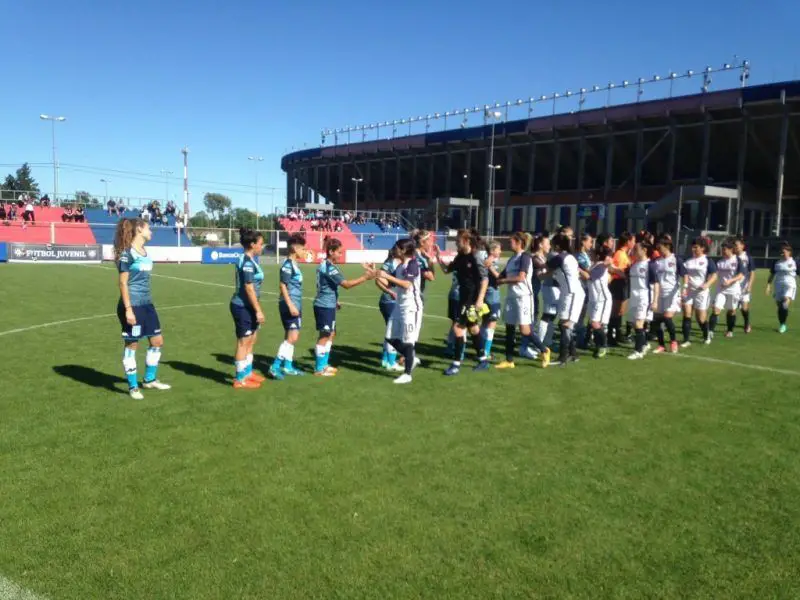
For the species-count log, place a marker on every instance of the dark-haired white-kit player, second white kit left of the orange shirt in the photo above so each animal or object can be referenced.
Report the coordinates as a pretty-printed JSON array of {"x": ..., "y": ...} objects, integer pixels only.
[{"x": 566, "y": 273}]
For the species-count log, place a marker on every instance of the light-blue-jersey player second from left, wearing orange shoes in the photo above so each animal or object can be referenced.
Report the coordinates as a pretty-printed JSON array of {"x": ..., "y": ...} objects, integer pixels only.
[{"x": 246, "y": 309}]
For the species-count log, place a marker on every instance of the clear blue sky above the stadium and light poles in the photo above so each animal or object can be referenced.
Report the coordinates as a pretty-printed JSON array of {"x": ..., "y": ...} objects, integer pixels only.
[{"x": 139, "y": 80}]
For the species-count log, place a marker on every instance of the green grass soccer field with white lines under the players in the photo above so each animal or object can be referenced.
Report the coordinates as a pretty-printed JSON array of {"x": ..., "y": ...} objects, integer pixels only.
[{"x": 671, "y": 477}]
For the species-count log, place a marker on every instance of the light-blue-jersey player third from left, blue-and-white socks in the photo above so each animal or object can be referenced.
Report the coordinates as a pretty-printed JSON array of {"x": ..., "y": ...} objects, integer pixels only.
[{"x": 290, "y": 307}]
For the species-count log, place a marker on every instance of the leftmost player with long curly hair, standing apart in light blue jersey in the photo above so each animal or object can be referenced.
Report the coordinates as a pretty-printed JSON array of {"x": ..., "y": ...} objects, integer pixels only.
[{"x": 137, "y": 315}]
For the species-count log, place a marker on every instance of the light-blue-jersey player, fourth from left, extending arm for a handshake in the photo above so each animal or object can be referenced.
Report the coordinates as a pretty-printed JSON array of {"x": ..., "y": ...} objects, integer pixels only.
[{"x": 326, "y": 303}]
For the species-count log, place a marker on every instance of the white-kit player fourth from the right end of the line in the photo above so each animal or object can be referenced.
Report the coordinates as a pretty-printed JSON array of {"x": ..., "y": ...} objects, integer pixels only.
[{"x": 700, "y": 274}]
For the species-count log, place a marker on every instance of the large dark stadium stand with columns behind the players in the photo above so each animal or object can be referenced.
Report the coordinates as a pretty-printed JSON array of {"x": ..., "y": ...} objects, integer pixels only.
[{"x": 597, "y": 169}]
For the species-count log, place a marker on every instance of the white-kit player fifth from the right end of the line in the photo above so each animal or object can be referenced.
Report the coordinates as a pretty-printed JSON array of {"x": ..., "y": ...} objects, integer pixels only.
[{"x": 667, "y": 293}]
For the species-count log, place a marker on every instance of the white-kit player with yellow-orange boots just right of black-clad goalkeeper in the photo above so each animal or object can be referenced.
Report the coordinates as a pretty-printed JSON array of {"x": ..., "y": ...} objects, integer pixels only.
[{"x": 518, "y": 311}]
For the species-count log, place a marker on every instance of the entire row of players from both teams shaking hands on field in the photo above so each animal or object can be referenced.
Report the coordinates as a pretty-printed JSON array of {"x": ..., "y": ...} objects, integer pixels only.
[{"x": 642, "y": 280}]
